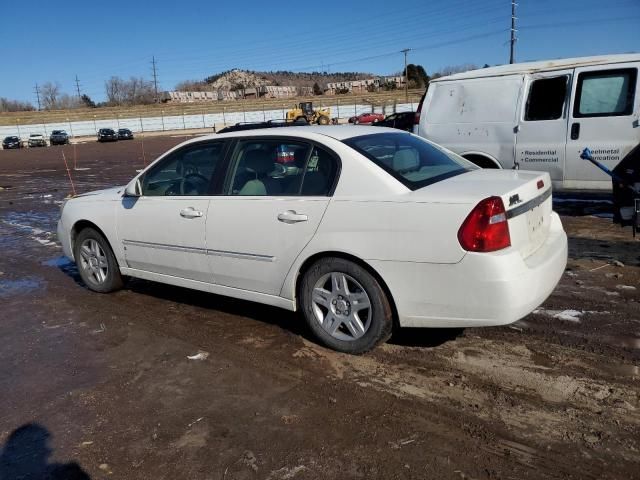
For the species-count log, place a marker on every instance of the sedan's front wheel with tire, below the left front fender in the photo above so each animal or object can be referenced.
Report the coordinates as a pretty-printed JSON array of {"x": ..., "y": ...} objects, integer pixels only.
[{"x": 96, "y": 262}]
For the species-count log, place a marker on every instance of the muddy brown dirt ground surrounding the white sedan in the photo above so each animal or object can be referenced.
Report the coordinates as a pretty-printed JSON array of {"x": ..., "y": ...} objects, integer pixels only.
[{"x": 98, "y": 386}]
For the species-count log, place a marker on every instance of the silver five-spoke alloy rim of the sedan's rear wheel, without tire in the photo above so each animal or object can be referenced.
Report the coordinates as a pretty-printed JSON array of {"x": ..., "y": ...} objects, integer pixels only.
[{"x": 341, "y": 306}]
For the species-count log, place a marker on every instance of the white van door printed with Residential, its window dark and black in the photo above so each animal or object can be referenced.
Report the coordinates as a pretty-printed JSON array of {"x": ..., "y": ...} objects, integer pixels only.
[{"x": 542, "y": 123}]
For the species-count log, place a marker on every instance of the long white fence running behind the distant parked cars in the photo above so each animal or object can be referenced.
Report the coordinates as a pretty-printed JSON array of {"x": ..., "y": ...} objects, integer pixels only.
[{"x": 191, "y": 121}]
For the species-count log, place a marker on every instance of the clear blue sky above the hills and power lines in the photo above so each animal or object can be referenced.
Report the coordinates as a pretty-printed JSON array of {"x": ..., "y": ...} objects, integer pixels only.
[{"x": 191, "y": 40}]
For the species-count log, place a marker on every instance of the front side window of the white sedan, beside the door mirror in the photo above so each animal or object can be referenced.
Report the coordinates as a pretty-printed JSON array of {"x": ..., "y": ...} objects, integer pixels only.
[{"x": 188, "y": 171}]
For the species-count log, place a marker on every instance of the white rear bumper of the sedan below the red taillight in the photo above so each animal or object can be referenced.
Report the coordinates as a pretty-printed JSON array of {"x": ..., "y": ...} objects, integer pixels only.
[{"x": 481, "y": 290}]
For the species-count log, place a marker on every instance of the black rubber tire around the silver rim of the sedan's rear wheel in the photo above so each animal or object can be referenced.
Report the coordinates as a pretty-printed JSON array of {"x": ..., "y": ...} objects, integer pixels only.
[{"x": 381, "y": 315}]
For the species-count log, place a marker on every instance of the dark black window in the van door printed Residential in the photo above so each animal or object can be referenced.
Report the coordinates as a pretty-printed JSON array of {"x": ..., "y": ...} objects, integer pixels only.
[{"x": 546, "y": 98}]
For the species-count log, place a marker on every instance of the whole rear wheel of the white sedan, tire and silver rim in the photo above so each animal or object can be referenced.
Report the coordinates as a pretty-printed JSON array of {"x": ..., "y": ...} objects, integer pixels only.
[{"x": 345, "y": 306}]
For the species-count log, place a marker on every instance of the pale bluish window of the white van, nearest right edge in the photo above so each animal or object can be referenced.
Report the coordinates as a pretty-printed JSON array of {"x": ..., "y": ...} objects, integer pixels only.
[{"x": 605, "y": 93}]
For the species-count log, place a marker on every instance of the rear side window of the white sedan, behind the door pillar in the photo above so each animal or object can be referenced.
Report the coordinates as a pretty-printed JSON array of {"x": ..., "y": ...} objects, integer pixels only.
[{"x": 281, "y": 168}]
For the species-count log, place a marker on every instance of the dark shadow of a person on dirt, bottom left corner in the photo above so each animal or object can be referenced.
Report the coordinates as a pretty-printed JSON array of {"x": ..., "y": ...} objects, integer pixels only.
[{"x": 26, "y": 453}]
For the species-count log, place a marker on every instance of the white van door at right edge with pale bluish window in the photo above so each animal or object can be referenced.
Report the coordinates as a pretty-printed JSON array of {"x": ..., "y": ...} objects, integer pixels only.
[{"x": 604, "y": 117}]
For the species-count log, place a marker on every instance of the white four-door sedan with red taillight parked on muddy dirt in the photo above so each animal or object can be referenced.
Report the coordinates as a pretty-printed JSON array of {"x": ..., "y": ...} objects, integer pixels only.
[{"x": 362, "y": 229}]
